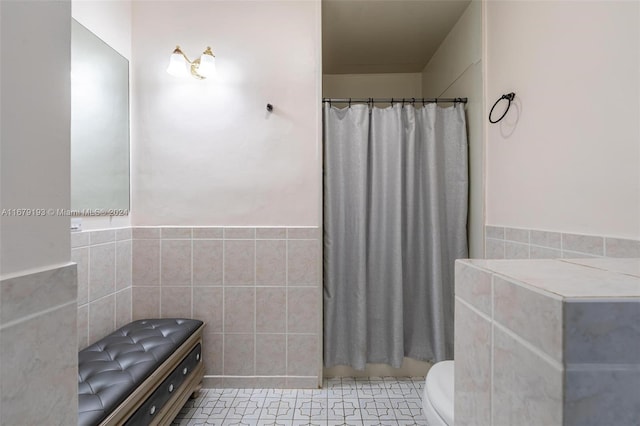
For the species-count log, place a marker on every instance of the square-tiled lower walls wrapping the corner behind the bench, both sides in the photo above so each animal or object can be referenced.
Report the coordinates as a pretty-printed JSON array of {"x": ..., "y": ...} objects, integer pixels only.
[{"x": 256, "y": 289}]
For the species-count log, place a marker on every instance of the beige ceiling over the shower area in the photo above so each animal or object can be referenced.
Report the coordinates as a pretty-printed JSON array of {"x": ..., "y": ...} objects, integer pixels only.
[{"x": 384, "y": 36}]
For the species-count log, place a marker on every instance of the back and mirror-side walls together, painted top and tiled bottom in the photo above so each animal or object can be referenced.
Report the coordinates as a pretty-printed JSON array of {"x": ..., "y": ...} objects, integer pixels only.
[{"x": 124, "y": 277}]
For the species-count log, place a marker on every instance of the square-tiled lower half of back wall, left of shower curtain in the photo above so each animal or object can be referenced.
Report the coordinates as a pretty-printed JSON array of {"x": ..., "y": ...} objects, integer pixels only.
[{"x": 258, "y": 290}]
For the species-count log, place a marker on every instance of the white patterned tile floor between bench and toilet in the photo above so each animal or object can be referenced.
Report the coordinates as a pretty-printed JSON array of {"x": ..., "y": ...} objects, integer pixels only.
[{"x": 384, "y": 401}]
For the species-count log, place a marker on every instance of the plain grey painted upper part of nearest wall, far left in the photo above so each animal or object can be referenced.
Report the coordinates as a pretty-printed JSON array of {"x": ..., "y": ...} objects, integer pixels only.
[{"x": 36, "y": 238}]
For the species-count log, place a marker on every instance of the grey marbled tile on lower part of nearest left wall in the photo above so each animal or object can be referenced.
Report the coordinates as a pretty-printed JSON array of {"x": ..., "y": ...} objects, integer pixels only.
[{"x": 37, "y": 339}]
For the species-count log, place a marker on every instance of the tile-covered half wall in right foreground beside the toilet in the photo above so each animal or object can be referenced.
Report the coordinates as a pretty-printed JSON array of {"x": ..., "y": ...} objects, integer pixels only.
[{"x": 550, "y": 341}]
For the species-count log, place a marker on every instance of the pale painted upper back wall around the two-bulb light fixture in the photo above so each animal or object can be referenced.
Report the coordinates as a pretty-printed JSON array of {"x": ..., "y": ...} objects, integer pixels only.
[{"x": 208, "y": 152}]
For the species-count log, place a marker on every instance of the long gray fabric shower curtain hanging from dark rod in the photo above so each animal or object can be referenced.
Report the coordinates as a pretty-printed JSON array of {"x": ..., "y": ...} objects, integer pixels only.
[{"x": 395, "y": 218}]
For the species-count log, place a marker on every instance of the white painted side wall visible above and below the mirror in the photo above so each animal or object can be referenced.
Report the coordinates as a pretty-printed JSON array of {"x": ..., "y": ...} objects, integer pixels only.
[{"x": 111, "y": 22}]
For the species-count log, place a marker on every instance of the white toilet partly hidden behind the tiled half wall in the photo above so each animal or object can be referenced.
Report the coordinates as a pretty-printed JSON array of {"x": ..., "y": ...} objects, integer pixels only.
[{"x": 437, "y": 400}]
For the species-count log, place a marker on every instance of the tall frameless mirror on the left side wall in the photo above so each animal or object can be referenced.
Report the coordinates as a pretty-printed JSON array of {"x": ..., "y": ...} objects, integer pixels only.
[{"x": 99, "y": 125}]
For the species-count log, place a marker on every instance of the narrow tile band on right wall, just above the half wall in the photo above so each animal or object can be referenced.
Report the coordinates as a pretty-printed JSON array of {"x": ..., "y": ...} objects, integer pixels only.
[{"x": 516, "y": 243}]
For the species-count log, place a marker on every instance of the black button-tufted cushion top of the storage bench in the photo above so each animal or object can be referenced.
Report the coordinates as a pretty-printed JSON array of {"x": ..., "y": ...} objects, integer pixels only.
[{"x": 110, "y": 369}]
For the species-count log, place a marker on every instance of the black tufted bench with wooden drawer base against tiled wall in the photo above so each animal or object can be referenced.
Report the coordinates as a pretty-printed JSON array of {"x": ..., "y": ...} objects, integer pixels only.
[{"x": 140, "y": 374}]
